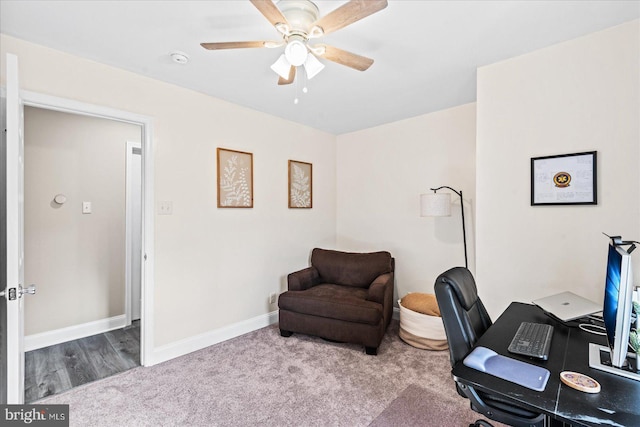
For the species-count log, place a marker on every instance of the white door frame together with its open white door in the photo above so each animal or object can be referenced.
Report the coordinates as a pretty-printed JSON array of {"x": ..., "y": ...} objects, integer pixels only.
[{"x": 13, "y": 378}]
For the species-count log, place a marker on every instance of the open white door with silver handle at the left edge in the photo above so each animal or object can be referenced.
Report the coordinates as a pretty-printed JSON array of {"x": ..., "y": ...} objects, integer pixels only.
[{"x": 15, "y": 237}]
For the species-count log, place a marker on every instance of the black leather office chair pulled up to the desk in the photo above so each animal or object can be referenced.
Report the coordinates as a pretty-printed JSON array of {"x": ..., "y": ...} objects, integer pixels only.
[{"x": 465, "y": 320}]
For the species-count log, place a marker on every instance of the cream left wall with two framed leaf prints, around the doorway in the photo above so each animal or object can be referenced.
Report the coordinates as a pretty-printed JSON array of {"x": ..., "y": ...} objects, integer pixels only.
[{"x": 214, "y": 267}]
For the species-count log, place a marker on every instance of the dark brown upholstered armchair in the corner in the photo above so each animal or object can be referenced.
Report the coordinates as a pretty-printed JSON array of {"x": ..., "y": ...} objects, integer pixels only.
[{"x": 343, "y": 296}]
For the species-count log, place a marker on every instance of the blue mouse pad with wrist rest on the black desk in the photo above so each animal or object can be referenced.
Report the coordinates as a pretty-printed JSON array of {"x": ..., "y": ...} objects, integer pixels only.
[{"x": 515, "y": 371}]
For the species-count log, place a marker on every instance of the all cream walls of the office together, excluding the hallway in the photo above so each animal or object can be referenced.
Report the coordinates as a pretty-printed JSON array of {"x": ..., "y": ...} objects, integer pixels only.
[{"x": 216, "y": 267}]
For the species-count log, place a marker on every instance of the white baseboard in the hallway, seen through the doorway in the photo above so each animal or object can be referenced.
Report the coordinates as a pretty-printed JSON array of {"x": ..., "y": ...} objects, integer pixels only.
[{"x": 70, "y": 333}]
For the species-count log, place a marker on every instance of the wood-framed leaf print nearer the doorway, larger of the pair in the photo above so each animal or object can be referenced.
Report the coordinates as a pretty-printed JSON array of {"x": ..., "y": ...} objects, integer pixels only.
[{"x": 235, "y": 179}]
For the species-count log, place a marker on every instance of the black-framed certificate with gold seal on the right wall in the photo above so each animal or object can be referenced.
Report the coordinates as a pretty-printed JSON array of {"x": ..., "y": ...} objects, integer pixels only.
[{"x": 566, "y": 179}]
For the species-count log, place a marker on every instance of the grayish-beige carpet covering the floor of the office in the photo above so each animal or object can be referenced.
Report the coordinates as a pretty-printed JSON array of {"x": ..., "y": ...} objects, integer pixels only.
[{"x": 262, "y": 379}]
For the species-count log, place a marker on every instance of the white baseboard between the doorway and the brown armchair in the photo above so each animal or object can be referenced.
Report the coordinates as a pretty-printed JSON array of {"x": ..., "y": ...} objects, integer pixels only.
[{"x": 198, "y": 342}]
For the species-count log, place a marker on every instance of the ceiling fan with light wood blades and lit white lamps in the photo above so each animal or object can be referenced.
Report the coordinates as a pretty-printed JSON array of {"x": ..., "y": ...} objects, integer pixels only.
[{"x": 299, "y": 21}]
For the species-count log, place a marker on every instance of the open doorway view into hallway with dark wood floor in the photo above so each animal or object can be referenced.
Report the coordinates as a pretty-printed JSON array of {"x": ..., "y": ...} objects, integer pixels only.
[{"x": 82, "y": 227}]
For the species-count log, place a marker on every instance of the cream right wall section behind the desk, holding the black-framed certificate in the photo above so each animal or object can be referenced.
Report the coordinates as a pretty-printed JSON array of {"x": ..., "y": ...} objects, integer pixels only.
[{"x": 577, "y": 96}]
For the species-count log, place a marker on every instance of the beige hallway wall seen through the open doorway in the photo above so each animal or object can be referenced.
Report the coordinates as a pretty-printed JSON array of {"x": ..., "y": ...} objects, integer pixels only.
[{"x": 77, "y": 260}]
